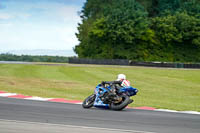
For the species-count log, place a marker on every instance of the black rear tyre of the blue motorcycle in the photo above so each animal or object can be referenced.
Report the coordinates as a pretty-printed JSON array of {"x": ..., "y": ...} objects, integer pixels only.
[{"x": 122, "y": 104}]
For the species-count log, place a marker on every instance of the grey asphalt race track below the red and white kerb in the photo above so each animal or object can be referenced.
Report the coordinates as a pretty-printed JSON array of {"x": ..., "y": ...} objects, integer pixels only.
[{"x": 27, "y": 116}]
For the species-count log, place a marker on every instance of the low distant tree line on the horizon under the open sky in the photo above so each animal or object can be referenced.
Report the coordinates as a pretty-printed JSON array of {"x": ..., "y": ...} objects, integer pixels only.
[{"x": 29, "y": 58}]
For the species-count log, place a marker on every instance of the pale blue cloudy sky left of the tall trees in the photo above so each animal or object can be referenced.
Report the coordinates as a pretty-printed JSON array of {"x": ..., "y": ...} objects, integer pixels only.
[{"x": 39, "y": 24}]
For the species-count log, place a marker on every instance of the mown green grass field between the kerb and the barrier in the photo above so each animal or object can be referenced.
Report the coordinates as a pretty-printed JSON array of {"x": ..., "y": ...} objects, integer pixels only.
[{"x": 177, "y": 89}]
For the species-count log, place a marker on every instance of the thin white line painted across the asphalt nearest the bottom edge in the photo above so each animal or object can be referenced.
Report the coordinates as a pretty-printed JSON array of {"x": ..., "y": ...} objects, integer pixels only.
[{"x": 74, "y": 126}]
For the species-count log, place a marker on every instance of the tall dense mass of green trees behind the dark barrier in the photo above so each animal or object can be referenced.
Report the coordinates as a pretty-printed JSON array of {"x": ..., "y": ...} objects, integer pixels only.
[{"x": 140, "y": 30}]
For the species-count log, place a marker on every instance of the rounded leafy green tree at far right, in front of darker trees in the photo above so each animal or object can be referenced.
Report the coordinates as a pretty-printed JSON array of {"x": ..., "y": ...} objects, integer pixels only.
[{"x": 180, "y": 35}]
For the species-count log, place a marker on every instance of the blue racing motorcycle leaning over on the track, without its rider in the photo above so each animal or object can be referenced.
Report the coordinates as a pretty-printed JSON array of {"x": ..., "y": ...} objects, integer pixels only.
[{"x": 110, "y": 96}]
